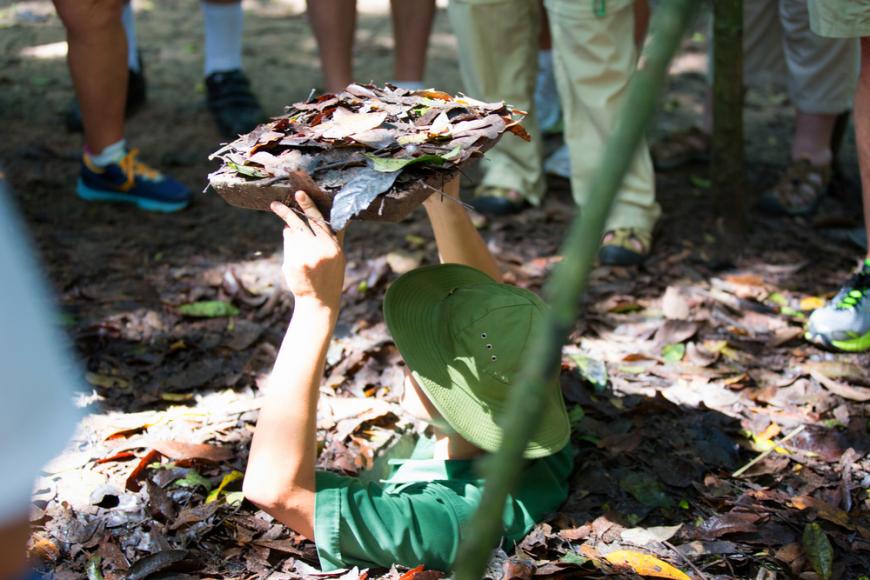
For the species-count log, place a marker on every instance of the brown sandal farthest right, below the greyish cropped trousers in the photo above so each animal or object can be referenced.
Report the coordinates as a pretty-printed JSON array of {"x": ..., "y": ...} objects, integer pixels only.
[{"x": 799, "y": 191}]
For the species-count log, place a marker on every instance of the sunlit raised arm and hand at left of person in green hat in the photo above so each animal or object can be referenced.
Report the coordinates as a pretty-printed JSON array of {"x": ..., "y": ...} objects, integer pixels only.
[{"x": 280, "y": 473}]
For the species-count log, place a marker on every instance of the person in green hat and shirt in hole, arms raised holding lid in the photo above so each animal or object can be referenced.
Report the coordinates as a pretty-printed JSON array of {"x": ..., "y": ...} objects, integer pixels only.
[{"x": 463, "y": 335}]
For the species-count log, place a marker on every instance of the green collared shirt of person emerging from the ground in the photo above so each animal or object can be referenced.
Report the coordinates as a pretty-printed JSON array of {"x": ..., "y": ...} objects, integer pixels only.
[{"x": 418, "y": 514}]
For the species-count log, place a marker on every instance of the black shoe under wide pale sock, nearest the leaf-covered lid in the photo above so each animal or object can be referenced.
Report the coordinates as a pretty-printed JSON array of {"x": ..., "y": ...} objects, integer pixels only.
[{"x": 232, "y": 104}]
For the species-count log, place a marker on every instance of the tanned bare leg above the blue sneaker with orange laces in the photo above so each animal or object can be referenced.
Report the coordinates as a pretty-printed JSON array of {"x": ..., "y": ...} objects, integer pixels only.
[{"x": 98, "y": 66}]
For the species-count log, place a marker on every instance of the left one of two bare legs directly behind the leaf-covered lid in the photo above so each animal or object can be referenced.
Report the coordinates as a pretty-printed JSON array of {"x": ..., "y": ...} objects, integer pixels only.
[{"x": 334, "y": 23}]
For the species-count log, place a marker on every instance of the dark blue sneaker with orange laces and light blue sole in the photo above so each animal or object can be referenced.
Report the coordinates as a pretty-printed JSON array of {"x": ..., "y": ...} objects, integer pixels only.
[{"x": 131, "y": 181}]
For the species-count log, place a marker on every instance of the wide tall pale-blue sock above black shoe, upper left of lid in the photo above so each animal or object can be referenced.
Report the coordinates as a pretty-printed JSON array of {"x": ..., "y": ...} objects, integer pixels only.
[{"x": 223, "y": 36}]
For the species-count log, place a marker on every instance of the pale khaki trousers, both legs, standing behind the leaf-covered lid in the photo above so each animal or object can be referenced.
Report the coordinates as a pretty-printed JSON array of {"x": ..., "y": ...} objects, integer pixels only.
[{"x": 594, "y": 57}]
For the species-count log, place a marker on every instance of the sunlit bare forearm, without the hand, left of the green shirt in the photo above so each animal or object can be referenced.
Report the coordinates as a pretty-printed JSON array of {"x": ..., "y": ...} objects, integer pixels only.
[{"x": 280, "y": 474}]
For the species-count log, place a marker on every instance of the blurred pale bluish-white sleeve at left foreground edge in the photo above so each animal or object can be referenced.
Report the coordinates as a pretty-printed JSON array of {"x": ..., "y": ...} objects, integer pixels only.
[{"x": 37, "y": 377}]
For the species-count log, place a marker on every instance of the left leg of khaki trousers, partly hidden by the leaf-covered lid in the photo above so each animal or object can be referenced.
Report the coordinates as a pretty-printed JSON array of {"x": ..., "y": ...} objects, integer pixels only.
[{"x": 498, "y": 52}]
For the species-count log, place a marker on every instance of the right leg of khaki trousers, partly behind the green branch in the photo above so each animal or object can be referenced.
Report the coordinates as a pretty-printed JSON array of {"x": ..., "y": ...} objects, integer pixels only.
[{"x": 594, "y": 56}]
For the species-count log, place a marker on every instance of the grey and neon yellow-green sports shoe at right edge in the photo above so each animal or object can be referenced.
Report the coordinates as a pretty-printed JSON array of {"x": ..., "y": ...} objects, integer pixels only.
[{"x": 844, "y": 322}]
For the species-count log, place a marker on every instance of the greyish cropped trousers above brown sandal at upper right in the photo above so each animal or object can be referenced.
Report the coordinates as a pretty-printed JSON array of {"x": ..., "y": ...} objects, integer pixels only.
[{"x": 779, "y": 48}]
